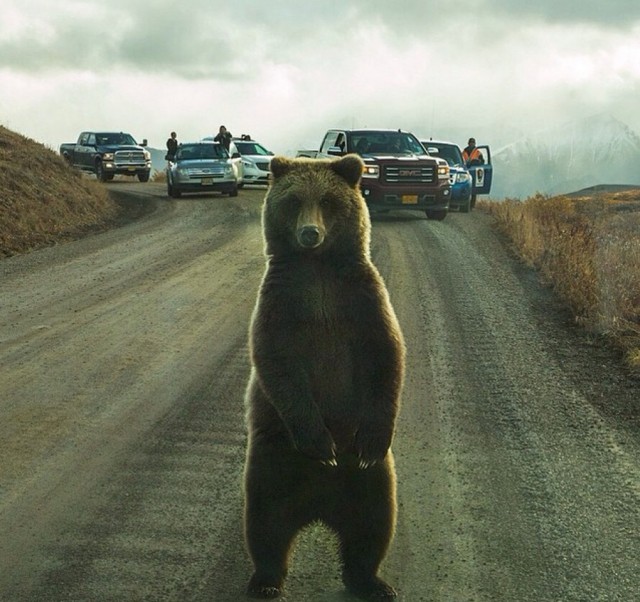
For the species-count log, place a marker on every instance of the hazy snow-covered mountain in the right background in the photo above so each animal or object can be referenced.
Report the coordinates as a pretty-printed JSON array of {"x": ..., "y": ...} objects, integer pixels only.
[{"x": 589, "y": 152}]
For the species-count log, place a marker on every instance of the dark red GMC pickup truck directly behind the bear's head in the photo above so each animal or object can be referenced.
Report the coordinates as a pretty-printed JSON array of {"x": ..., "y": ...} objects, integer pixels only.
[{"x": 399, "y": 174}]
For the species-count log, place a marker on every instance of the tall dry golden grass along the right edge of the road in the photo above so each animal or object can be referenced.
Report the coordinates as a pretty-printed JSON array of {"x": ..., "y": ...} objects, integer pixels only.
[{"x": 588, "y": 249}]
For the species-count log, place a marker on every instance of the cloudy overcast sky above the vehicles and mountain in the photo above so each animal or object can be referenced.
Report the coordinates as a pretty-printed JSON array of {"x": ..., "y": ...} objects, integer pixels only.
[{"x": 286, "y": 70}]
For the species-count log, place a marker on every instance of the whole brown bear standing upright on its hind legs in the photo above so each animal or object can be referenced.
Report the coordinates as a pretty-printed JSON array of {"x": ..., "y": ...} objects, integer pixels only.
[{"x": 327, "y": 369}]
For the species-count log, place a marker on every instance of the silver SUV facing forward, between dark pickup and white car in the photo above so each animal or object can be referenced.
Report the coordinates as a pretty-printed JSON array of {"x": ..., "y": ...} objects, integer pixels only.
[{"x": 201, "y": 167}]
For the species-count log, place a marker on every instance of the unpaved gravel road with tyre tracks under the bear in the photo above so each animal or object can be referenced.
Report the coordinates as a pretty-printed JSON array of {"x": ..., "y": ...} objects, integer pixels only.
[{"x": 123, "y": 362}]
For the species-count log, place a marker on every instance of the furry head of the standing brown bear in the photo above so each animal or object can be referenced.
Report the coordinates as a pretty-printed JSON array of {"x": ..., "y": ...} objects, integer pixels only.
[{"x": 314, "y": 206}]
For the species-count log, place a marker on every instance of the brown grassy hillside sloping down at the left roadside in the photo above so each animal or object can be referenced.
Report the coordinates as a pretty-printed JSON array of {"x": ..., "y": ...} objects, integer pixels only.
[{"x": 43, "y": 200}]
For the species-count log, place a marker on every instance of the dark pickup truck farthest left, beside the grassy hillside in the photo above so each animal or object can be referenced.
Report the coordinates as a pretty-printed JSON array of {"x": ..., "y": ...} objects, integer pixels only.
[{"x": 107, "y": 154}]
